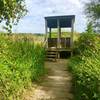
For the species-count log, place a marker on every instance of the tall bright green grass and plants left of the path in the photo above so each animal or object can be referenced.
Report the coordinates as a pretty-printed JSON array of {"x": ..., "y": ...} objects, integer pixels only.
[{"x": 21, "y": 63}]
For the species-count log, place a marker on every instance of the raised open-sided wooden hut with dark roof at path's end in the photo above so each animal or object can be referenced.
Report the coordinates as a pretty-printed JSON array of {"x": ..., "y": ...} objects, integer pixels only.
[{"x": 58, "y": 44}]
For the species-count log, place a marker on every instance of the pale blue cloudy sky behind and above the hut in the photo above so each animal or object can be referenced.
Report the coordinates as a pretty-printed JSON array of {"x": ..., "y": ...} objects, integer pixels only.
[{"x": 34, "y": 21}]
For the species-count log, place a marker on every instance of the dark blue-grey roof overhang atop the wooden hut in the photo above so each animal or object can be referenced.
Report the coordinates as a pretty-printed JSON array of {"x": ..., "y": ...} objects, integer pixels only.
[{"x": 64, "y": 21}]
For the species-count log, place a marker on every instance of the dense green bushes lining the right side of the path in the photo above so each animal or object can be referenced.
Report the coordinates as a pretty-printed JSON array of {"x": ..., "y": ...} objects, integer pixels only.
[{"x": 86, "y": 67}]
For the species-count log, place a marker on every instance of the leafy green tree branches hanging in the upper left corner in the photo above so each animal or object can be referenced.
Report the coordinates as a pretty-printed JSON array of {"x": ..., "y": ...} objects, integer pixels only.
[{"x": 11, "y": 11}]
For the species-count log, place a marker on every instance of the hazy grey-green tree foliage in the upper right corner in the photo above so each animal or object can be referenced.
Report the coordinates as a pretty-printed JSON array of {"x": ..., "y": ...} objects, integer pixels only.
[{"x": 92, "y": 10}]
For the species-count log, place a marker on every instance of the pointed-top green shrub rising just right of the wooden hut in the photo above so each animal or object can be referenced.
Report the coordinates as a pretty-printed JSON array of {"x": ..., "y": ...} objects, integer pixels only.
[{"x": 86, "y": 40}]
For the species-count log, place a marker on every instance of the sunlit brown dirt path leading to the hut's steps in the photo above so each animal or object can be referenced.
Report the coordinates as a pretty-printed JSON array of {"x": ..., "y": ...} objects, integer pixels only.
[{"x": 56, "y": 86}]
